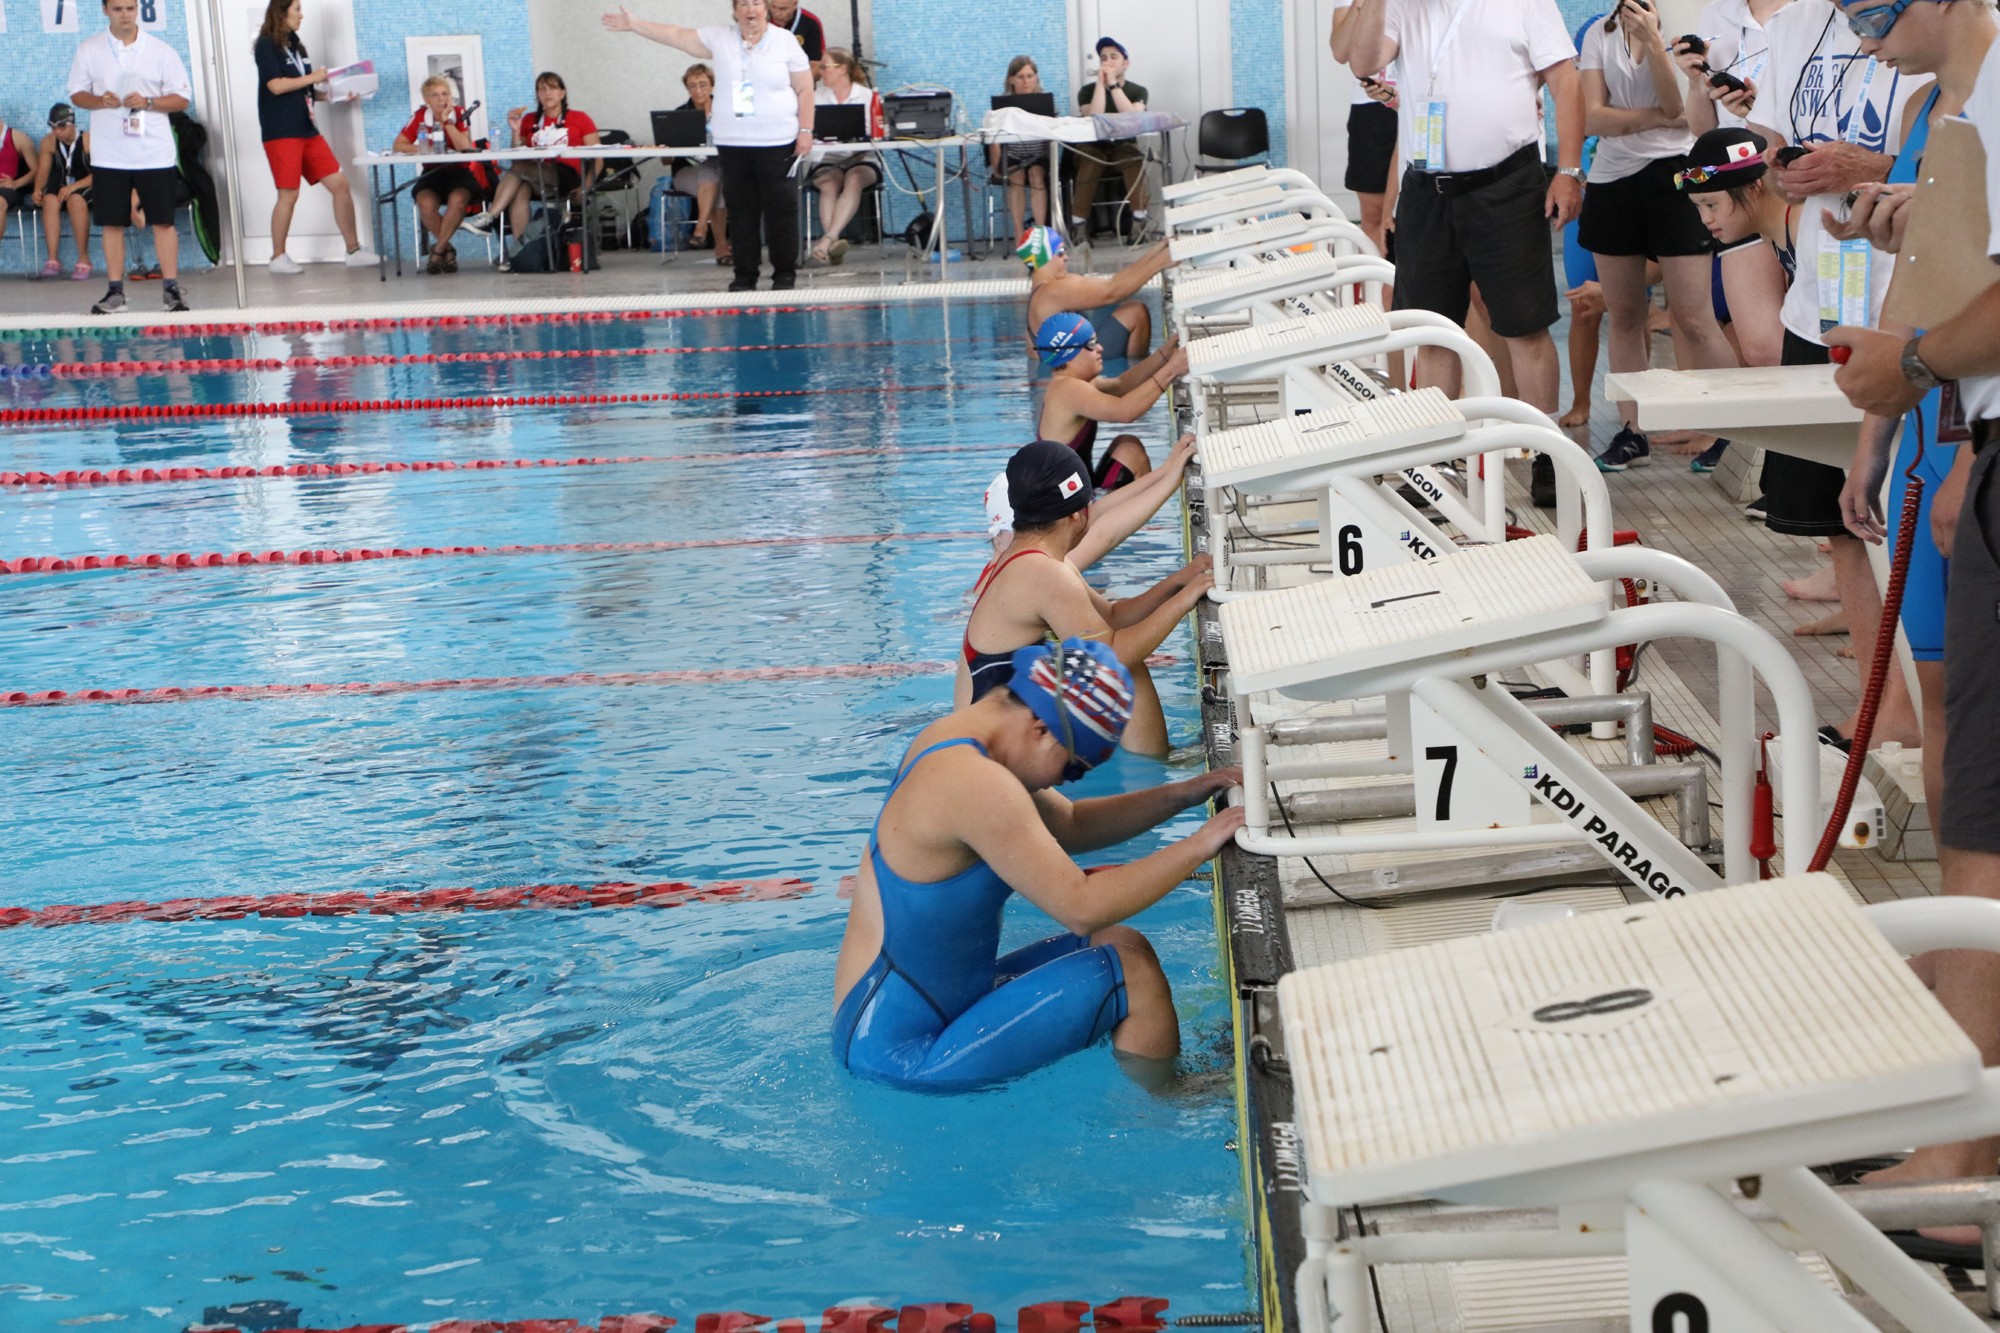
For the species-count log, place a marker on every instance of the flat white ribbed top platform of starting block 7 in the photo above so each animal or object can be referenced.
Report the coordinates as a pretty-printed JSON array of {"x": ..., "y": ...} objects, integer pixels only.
[{"x": 1407, "y": 613}]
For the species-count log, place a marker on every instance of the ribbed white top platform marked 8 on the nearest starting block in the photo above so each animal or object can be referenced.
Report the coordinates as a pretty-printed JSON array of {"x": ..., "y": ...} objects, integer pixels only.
[{"x": 1607, "y": 1038}]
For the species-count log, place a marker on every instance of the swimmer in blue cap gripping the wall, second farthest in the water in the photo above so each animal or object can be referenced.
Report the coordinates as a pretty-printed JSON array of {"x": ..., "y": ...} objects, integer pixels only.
[{"x": 1079, "y": 399}]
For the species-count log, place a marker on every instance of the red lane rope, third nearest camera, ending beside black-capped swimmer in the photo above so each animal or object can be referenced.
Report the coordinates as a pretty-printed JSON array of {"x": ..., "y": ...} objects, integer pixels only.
[{"x": 575, "y": 680}]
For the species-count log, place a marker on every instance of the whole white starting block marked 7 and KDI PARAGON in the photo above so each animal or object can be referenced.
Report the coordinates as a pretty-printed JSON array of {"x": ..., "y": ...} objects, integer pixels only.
[{"x": 1489, "y": 774}]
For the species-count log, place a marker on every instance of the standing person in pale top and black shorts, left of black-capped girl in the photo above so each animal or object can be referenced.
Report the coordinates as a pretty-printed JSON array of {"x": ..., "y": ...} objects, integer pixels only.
[{"x": 1635, "y": 213}]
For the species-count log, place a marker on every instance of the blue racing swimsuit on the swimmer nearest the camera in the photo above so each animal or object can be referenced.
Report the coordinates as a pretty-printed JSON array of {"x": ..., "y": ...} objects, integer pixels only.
[{"x": 941, "y": 1010}]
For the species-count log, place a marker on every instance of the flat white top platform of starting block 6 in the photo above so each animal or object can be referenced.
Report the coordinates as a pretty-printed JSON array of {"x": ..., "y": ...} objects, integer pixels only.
[{"x": 1291, "y": 445}]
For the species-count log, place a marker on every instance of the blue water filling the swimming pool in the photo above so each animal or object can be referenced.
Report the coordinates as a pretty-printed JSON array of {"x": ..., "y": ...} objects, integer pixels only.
[{"x": 507, "y": 1116}]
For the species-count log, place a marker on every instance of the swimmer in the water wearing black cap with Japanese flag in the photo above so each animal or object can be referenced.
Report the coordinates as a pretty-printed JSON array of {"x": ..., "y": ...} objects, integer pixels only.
[{"x": 1035, "y": 593}]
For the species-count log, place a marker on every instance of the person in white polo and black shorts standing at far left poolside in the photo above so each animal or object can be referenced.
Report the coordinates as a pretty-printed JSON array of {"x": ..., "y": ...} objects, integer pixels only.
[{"x": 131, "y": 83}]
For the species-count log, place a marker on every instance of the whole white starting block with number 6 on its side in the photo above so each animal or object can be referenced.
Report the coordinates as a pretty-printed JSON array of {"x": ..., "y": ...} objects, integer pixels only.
[{"x": 1339, "y": 453}]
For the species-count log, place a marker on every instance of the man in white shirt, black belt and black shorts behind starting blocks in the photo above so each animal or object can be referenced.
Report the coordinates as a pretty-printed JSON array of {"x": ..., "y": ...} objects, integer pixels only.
[{"x": 1477, "y": 205}]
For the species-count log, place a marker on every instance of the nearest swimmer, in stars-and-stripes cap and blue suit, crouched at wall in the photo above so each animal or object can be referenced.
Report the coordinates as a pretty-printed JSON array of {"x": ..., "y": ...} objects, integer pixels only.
[{"x": 923, "y": 996}]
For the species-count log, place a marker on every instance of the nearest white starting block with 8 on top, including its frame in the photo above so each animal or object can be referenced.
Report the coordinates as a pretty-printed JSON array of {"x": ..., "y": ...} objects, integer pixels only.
[{"x": 1619, "y": 1066}]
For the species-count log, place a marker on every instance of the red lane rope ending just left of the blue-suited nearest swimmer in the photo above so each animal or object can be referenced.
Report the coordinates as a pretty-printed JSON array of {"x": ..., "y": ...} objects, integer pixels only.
[{"x": 403, "y": 902}]
